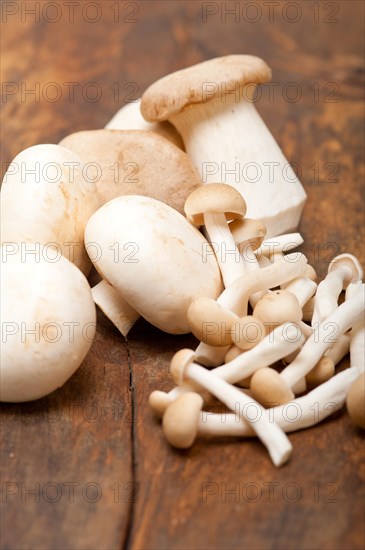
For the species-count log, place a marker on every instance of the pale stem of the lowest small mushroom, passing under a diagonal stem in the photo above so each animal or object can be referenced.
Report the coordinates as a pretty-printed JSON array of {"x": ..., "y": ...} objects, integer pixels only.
[{"x": 298, "y": 414}]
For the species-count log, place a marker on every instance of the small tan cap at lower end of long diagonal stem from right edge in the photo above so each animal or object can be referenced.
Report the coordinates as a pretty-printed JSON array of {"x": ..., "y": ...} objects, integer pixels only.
[{"x": 269, "y": 389}]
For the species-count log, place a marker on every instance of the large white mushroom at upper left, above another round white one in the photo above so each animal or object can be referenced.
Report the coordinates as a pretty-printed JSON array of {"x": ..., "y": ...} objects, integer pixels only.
[{"x": 46, "y": 201}]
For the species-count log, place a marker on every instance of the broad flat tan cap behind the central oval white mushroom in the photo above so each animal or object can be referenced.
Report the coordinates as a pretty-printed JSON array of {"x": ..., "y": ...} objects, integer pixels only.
[{"x": 136, "y": 162}]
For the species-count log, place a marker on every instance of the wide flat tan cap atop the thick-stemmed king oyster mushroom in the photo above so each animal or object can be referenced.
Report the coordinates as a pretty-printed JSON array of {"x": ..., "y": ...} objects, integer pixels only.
[{"x": 171, "y": 94}]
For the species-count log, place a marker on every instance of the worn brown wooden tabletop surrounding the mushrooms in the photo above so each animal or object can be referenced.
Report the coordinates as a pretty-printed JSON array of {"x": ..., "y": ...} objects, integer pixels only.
[{"x": 87, "y": 467}]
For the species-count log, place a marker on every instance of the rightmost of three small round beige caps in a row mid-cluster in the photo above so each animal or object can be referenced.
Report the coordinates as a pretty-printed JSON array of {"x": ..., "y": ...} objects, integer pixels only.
[{"x": 278, "y": 307}]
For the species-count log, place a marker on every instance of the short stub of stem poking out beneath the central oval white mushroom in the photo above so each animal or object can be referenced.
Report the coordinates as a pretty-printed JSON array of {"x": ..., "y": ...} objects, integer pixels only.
[{"x": 110, "y": 301}]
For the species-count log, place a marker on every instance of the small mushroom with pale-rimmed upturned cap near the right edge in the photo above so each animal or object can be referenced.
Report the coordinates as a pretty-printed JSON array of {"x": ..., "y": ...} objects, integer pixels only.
[{"x": 343, "y": 269}]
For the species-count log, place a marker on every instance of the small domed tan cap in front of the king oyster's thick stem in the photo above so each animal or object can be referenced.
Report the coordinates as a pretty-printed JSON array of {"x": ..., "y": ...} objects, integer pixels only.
[{"x": 215, "y": 198}]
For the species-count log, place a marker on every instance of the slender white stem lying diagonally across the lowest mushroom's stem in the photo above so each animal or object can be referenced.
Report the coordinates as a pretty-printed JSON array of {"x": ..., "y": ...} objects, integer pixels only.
[{"x": 272, "y": 437}]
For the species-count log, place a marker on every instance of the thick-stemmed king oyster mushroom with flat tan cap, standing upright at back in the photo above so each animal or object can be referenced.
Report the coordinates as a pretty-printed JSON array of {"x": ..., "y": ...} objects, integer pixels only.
[{"x": 212, "y": 106}]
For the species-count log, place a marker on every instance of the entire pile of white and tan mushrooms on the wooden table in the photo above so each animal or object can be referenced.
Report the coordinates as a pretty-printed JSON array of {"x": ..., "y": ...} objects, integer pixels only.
[{"x": 187, "y": 254}]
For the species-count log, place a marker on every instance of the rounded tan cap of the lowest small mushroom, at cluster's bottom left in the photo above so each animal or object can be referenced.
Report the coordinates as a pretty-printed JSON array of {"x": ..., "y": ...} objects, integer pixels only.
[{"x": 181, "y": 420}]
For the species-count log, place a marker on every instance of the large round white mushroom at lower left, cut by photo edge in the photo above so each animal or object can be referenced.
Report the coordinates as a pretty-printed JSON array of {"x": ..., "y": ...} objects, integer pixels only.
[{"x": 48, "y": 324}]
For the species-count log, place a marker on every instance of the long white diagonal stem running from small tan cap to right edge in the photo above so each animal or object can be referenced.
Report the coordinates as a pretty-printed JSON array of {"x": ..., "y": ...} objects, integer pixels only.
[{"x": 329, "y": 331}]
